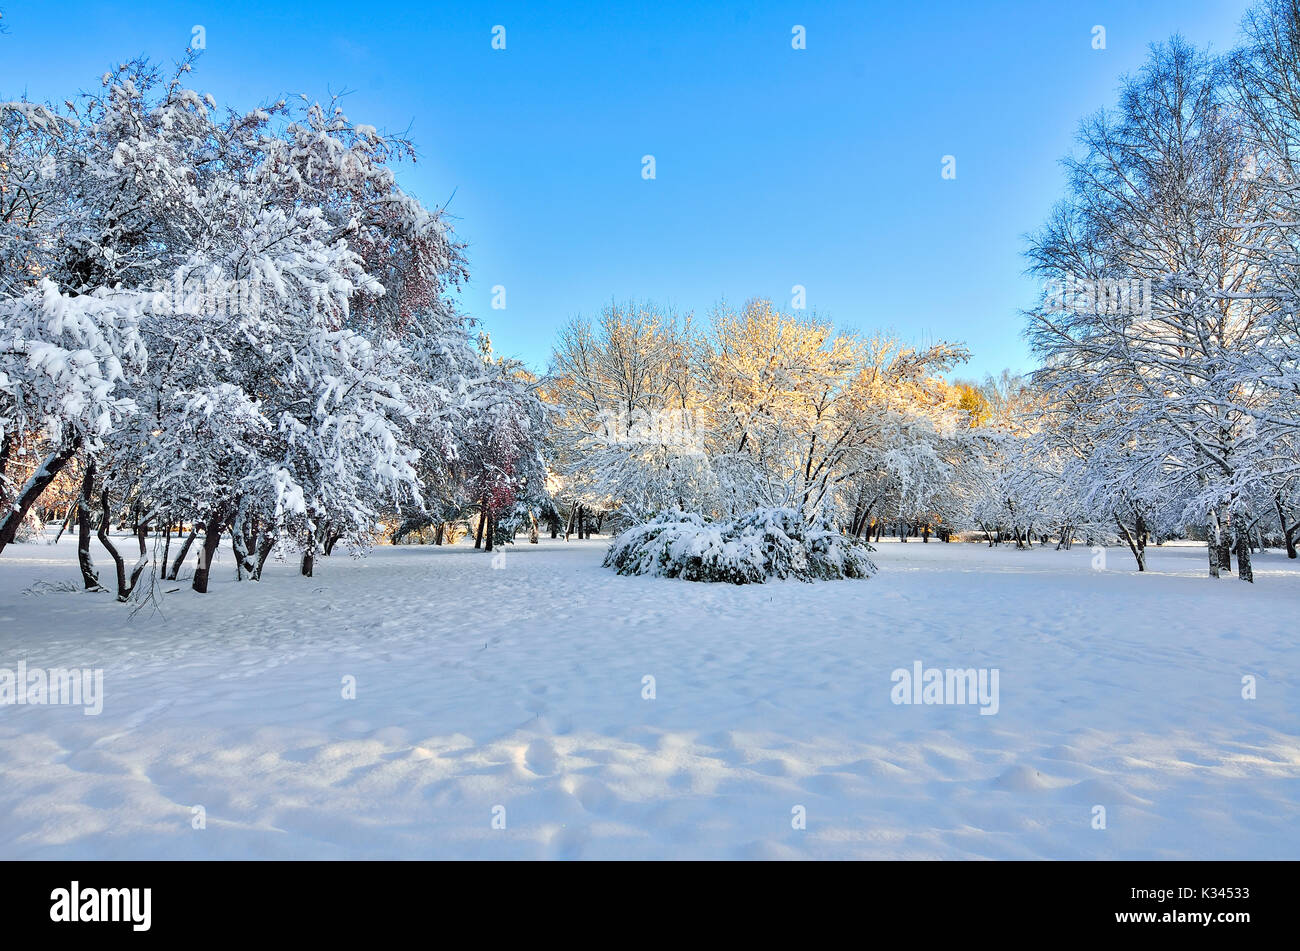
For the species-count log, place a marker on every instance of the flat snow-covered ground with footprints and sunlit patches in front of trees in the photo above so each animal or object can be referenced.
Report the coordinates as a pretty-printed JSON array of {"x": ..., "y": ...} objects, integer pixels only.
[{"x": 523, "y": 688}]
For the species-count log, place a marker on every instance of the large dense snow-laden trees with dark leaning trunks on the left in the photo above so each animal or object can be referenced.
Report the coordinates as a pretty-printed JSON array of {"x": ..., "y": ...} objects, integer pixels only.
[{"x": 240, "y": 323}]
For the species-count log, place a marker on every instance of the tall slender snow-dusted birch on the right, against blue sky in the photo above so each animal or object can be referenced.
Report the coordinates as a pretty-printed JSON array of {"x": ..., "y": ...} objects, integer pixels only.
[{"x": 1160, "y": 296}]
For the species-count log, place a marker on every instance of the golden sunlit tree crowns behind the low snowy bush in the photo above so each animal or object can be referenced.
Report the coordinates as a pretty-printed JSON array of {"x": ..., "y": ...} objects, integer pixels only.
[{"x": 787, "y": 406}]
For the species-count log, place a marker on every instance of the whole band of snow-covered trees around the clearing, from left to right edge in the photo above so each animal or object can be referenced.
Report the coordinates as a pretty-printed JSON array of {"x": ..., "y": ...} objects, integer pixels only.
[{"x": 236, "y": 328}]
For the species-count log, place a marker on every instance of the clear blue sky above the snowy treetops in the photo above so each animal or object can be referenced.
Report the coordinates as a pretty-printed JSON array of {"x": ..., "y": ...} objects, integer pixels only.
[{"x": 775, "y": 167}]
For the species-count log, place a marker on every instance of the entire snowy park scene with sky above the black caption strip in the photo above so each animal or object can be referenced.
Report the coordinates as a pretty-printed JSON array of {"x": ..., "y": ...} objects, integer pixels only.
[{"x": 606, "y": 438}]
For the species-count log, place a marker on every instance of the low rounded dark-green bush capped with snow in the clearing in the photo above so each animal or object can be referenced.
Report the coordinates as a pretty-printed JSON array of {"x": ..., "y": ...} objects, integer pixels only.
[{"x": 766, "y": 544}]
